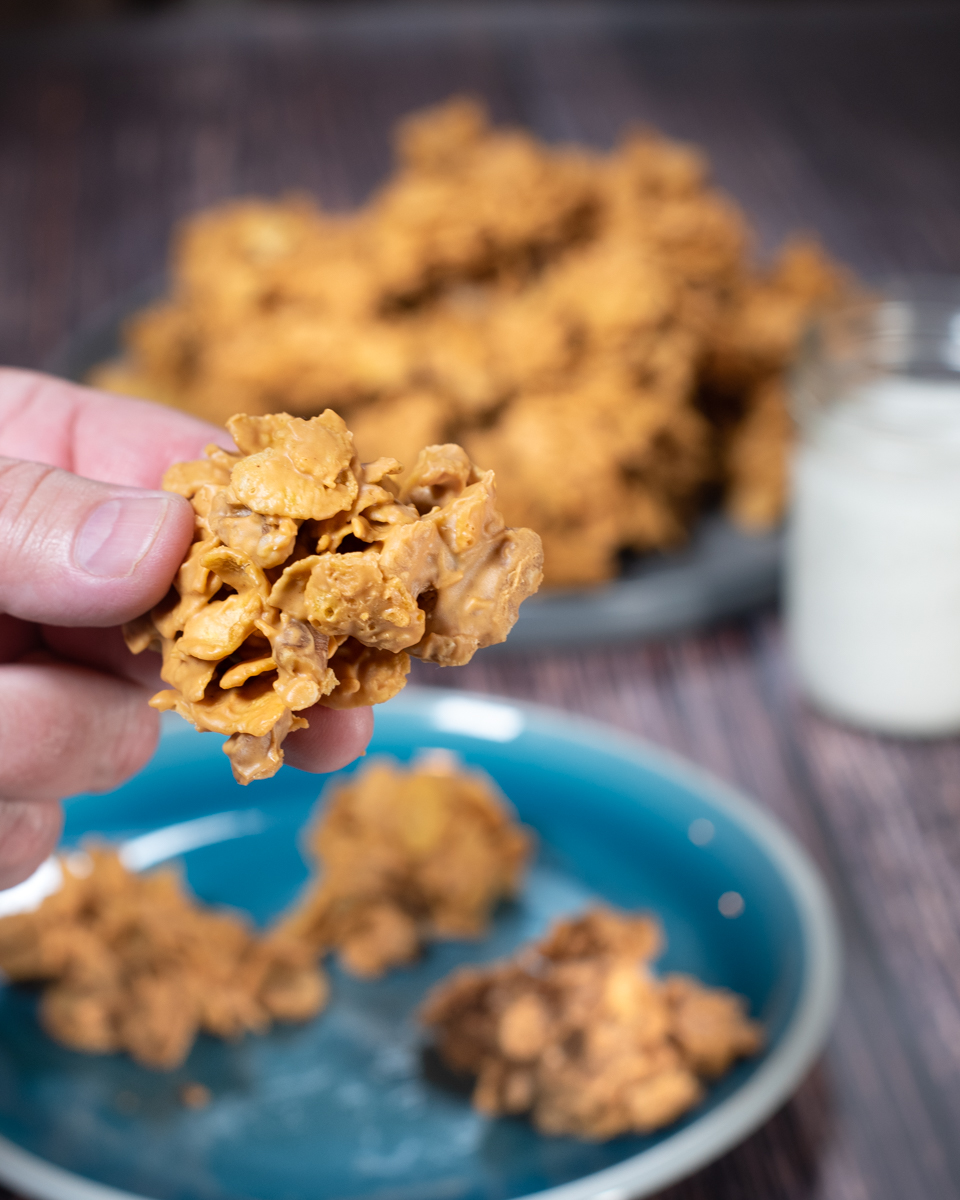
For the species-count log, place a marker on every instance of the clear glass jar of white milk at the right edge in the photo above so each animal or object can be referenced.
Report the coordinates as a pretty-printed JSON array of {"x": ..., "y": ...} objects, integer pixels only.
[{"x": 873, "y": 583}]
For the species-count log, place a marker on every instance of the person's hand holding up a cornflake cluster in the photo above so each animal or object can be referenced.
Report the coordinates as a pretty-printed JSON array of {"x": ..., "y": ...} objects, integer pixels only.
[{"x": 79, "y": 559}]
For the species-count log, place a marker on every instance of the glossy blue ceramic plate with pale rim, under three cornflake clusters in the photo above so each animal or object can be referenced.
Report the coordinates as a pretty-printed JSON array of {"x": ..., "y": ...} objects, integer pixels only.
[{"x": 347, "y": 1108}]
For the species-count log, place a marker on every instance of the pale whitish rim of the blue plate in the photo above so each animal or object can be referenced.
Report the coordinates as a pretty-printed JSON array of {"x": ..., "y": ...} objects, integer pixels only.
[{"x": 736, "y": 1118}]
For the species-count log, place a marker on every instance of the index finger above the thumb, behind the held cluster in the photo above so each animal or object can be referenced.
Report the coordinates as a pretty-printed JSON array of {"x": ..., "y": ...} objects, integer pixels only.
[{"x": 115, "y": 440}]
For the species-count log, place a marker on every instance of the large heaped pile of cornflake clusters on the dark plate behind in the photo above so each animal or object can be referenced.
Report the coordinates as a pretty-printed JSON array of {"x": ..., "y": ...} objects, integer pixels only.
[{"x": 521, "y": 301}]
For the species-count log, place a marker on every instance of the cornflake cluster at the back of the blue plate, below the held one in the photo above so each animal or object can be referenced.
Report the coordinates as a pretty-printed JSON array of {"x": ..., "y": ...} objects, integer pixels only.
[{"x": 406, "y": 856}]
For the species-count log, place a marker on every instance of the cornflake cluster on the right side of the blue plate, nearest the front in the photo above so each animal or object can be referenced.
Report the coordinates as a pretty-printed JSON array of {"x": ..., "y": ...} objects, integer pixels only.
[{"x": 579, "y": 1033}]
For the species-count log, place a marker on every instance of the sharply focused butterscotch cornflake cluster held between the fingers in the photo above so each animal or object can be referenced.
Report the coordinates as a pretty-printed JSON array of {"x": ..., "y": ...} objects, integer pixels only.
[{"x": 313, "y": 578}]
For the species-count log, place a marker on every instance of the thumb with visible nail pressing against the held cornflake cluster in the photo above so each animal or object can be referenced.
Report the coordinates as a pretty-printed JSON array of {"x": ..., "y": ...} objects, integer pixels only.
[{"x": 74, "y": 553}]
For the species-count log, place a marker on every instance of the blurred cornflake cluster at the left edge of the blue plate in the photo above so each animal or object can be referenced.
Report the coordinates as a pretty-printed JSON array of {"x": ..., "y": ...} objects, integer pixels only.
[{"x": 135, "y": 963}]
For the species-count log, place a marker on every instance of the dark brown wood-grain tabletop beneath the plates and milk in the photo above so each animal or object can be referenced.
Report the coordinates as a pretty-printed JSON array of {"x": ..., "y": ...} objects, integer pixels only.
[{"x": 845, "y": 121}]
